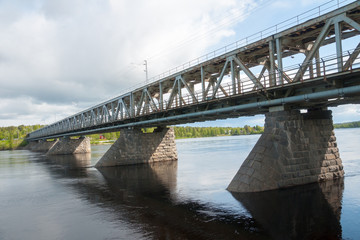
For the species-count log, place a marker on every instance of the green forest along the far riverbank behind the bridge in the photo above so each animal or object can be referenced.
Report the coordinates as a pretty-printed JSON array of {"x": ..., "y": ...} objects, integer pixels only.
[{"x": 14, "y": 137}]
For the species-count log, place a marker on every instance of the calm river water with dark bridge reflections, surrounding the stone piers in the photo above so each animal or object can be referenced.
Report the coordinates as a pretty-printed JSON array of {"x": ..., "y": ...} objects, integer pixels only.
[{"x": 64, "y": 197}]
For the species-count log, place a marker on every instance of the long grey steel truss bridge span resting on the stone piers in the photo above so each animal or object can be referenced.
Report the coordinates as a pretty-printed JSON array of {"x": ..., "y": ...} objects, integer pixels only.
[{"x": 247, "y": 78}]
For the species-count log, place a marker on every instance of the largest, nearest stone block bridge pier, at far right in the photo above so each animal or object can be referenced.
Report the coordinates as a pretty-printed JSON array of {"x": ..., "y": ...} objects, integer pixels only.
[{"x": 294, "y": 149}]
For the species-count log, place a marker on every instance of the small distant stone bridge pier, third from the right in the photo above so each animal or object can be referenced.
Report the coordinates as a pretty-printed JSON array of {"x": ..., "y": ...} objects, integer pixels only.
[{"x": 71, "y": 146}]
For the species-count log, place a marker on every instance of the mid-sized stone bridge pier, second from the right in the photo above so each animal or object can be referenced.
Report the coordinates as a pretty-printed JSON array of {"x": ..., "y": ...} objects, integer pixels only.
[{"x": 134, "y": 147}]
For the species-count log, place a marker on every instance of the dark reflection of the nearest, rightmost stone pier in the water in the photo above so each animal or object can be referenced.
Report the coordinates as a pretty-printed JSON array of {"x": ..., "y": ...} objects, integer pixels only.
[{"x": 305, "y": 212}]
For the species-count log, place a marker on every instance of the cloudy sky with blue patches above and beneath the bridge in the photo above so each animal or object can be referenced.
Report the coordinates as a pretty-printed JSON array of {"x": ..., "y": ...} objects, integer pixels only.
[{"x": 58, "y": 57}]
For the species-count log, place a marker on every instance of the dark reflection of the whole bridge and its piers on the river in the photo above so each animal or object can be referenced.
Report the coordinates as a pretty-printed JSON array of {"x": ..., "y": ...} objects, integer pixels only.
[{"x": 147, "y": 196}]
